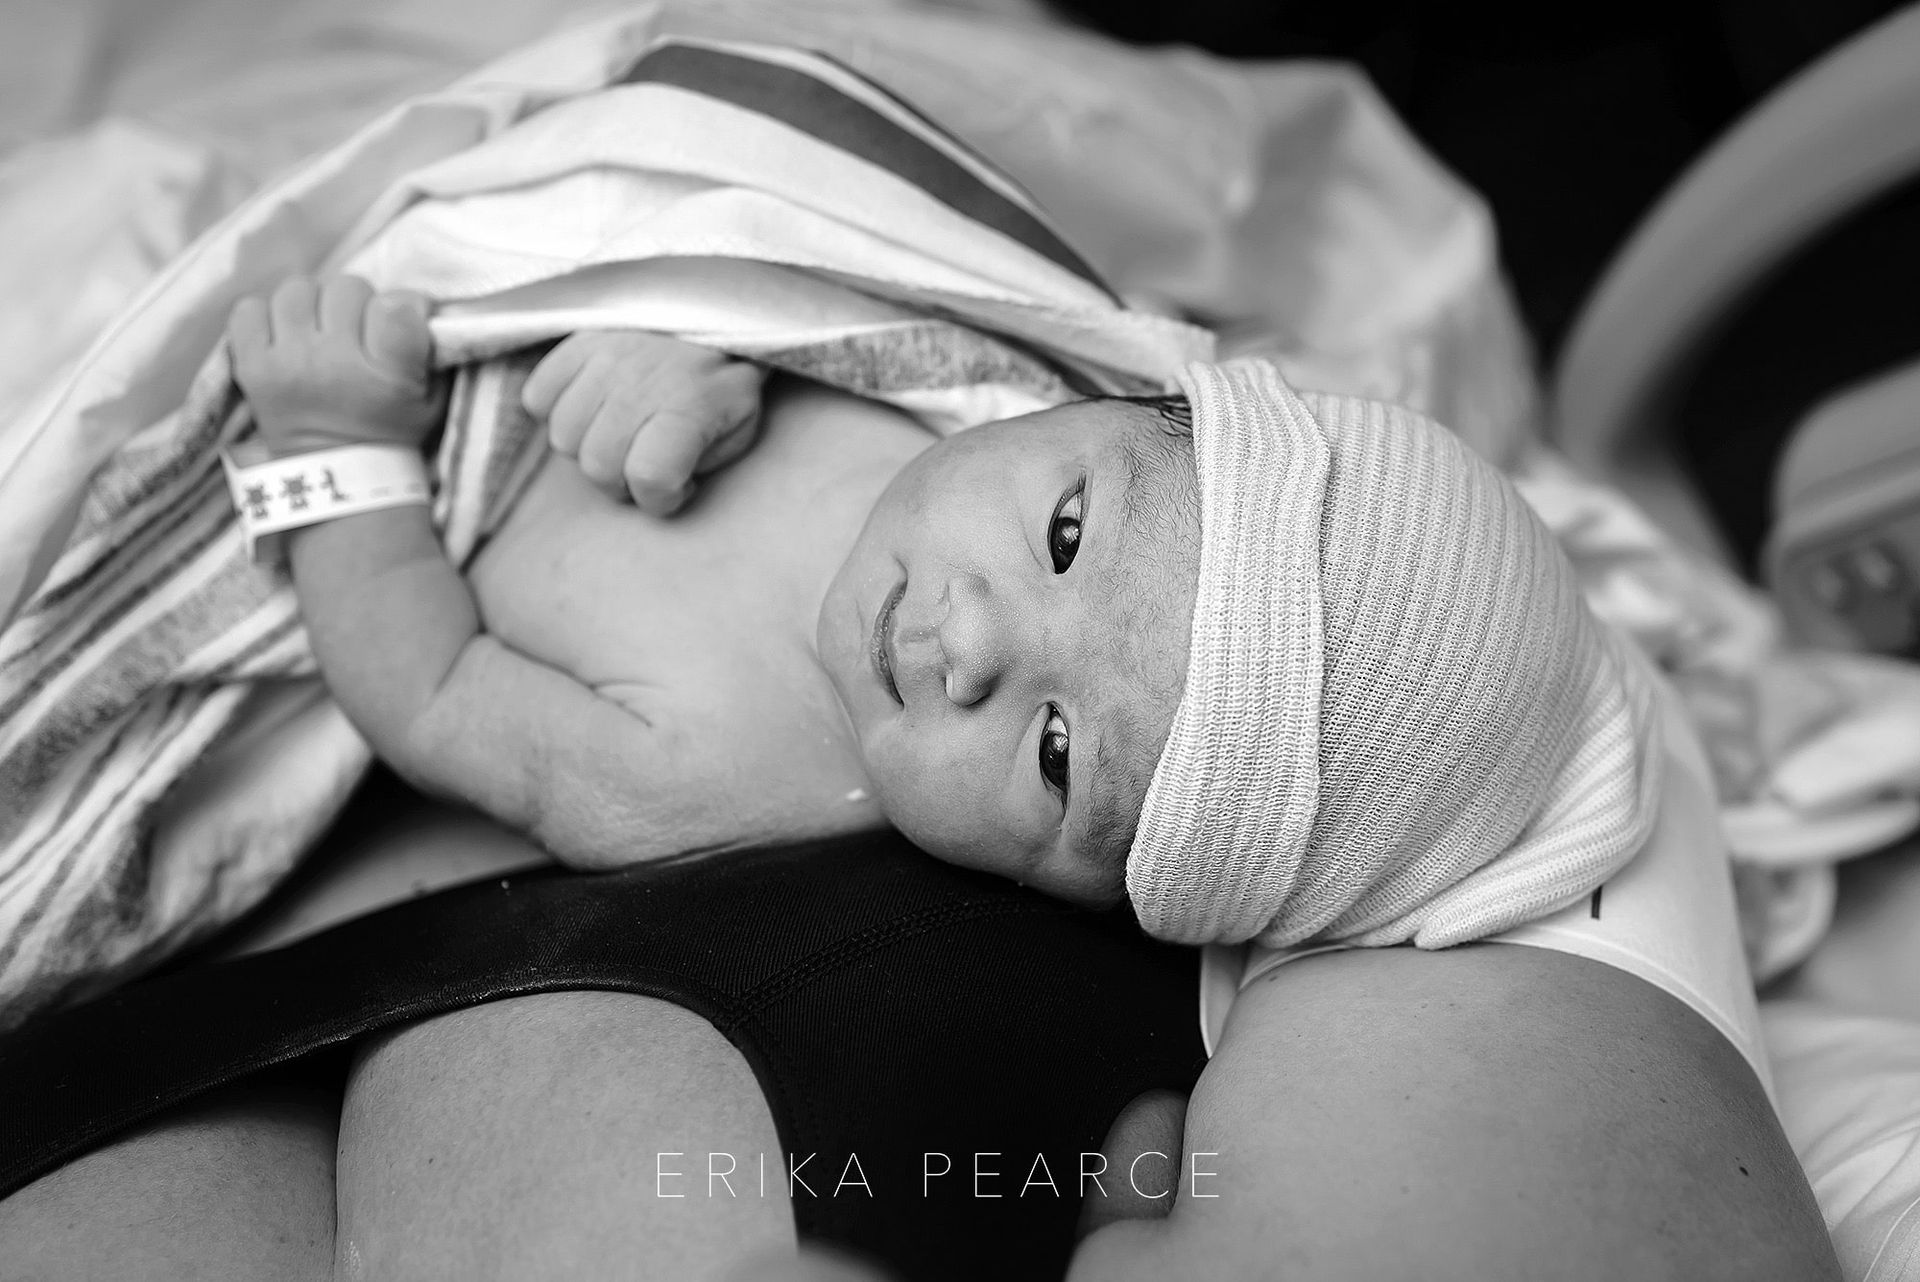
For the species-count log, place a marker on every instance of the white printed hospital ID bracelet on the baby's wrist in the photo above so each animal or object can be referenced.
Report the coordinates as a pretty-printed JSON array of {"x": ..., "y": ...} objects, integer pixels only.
[{"x": 327, "y": 485}]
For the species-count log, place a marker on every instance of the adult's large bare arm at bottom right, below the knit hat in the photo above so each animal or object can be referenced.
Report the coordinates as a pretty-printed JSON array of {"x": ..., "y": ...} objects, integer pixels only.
[{"x": 1489, "y": 1112}]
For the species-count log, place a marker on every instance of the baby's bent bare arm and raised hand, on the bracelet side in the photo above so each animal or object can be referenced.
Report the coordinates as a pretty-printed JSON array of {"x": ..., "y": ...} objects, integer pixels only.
[{"x": 395, "y": 627}]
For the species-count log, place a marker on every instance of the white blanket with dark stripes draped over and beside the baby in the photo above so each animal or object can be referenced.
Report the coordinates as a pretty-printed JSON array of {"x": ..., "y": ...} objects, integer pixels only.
[{"x": 763, "y": 201}]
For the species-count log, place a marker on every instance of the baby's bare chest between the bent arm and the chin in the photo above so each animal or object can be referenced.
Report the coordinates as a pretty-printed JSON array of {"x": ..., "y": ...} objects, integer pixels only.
[{"x": 704, "y": 623}]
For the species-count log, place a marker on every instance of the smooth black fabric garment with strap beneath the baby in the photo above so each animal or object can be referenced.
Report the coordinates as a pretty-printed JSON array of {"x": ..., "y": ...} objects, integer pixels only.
[{"x": 892, "y": 1009}]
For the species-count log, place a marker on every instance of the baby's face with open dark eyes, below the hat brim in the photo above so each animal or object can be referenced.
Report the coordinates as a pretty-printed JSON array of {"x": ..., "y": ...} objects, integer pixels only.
[{"x": 1009, "y": 638}]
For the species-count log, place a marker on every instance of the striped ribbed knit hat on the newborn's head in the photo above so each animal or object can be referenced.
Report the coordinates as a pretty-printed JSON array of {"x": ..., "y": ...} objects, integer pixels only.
[{"x": 1401, "y": 721}]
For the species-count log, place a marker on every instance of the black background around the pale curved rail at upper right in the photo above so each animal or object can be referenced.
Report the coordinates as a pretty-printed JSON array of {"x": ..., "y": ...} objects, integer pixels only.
[{"x": 1572, "y": 120}]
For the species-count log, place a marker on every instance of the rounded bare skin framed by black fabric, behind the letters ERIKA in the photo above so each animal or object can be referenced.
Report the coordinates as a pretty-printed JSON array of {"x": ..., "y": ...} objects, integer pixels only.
[{"x": 539, "y": 1137}]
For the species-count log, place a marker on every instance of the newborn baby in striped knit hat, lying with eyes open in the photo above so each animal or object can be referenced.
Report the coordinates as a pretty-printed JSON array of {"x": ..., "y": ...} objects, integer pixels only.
[{"x": 1276, "y": 669}]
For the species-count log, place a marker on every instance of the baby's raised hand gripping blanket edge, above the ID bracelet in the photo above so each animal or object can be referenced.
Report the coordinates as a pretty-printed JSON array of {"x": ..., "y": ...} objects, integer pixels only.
[{"x": 333, "y": 364}]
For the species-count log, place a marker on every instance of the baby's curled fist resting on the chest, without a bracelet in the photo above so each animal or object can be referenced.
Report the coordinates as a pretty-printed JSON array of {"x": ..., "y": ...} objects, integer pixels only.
[{"x": 642, "y": 414}]
